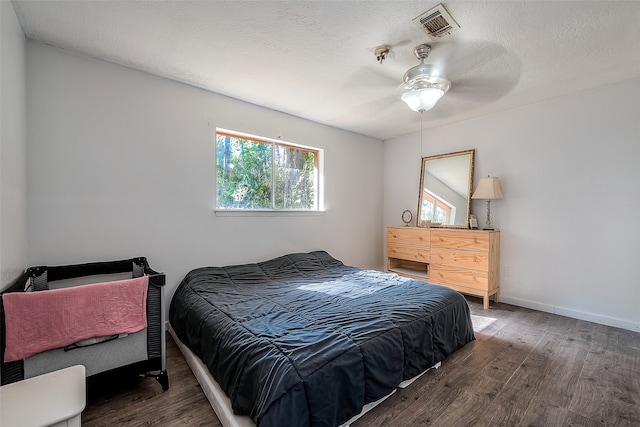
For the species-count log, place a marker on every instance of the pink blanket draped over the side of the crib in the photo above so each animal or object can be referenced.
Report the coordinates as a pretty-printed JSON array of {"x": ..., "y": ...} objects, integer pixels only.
[{"x": 43, "y": 320}]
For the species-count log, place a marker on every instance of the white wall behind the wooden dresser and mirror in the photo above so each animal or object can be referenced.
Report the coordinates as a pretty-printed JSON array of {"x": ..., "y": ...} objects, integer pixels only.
[{"x": 570, "y": 234}]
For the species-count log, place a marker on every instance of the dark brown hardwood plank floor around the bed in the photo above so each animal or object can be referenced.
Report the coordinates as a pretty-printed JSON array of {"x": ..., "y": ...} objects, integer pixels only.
[{"x": 525, "y": 368}]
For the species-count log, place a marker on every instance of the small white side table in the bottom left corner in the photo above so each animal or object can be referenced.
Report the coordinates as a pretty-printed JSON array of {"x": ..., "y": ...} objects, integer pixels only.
[{"x": 53, "y": 399}]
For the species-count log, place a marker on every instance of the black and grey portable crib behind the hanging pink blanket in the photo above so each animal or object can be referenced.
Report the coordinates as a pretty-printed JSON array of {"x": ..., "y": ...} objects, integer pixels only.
[{"x": 141, "y": 353}]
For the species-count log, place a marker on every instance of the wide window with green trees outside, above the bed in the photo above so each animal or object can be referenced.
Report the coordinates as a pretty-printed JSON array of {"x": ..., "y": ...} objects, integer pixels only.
[{"x": 254, "y": 173}]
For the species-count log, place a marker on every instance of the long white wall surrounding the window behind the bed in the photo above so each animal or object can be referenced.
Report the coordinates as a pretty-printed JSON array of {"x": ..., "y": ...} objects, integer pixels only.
[{"x": 121, "y": 164}]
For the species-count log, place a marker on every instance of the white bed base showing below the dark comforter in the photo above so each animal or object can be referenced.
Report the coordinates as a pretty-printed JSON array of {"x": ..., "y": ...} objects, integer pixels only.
[{"x": 221, "y": 404}]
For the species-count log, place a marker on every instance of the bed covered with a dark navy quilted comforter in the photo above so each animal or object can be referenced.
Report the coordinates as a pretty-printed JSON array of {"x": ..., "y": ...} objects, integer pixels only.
[{"x": 304, "y": 340}]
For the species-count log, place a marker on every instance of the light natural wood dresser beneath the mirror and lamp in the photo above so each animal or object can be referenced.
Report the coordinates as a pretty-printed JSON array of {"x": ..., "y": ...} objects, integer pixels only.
[{"x": 465, "y": 260}]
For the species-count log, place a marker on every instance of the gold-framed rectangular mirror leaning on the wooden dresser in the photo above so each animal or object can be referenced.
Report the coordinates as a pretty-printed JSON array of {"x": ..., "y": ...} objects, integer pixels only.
[{"x": 446, "y": 183}]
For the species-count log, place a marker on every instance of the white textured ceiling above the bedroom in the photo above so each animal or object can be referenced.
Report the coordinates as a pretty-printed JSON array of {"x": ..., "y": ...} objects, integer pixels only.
[{"x": 314, "y": 59}]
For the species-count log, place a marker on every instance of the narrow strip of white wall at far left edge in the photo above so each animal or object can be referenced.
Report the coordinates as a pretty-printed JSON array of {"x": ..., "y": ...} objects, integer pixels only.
[{"x": 13, "y": 178}]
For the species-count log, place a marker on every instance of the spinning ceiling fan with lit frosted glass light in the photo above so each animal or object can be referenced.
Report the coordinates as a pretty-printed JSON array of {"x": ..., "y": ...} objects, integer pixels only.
[{"x": 469, "y": 72}]
